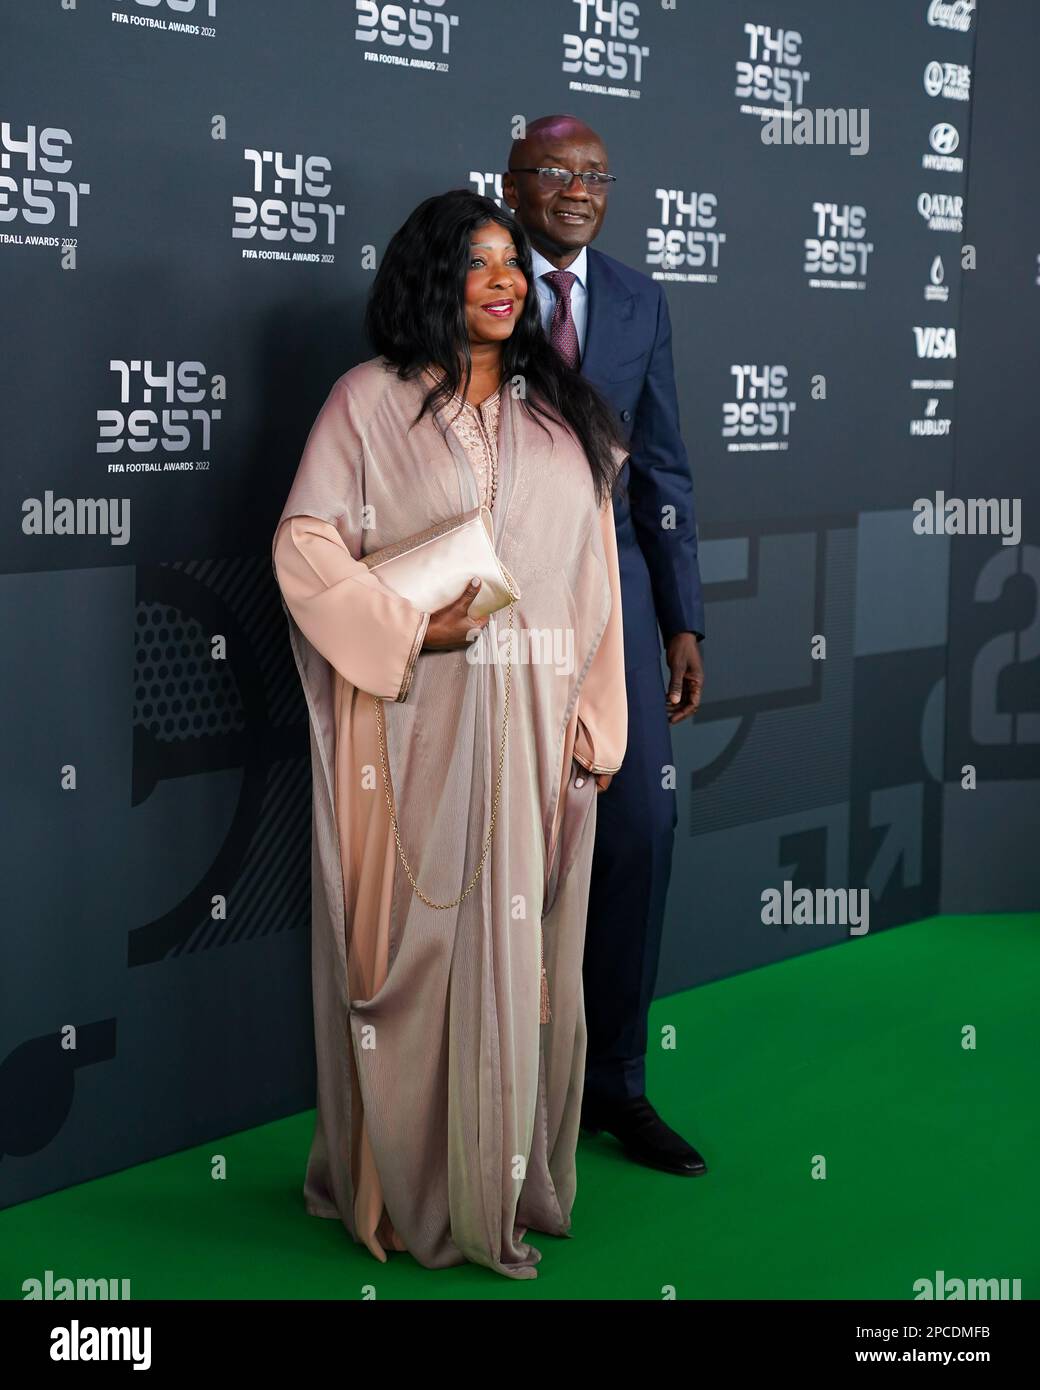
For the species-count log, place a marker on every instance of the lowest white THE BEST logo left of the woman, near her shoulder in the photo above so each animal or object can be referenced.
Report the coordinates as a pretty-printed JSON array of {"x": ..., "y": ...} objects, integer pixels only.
[{"x": 163, "y": 407}]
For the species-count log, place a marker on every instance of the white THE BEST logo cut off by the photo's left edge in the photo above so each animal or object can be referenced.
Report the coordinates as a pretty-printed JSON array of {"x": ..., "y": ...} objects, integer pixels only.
[{"x": 33, "y": 191}]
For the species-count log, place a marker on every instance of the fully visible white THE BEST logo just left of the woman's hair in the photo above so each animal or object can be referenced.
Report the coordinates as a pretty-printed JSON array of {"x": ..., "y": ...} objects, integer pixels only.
[{"x": 297, "y": 208}]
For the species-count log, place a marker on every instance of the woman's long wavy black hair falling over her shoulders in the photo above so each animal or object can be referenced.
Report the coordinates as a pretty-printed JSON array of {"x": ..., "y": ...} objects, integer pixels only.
[{"x": 416, "y": 316}]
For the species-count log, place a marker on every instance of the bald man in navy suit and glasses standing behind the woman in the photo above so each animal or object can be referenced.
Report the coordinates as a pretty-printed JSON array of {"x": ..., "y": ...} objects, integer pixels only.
[{"x": 612, "y": 323}]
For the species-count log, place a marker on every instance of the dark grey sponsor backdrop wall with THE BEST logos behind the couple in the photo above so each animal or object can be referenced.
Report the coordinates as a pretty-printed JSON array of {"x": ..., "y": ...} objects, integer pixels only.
[{"x": 191, "y": 772}]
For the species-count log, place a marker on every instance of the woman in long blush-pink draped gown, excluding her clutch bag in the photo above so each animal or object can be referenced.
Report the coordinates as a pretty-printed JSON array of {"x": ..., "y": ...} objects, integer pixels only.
[{"x": 450, "y": 1022}]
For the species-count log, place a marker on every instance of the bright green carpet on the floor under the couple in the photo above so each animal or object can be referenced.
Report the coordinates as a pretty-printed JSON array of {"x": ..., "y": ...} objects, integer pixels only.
[{"x": 852, "y": 1053}]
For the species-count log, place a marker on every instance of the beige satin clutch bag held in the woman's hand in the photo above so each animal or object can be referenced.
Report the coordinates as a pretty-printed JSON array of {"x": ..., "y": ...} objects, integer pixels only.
[{"x": 433, "y": 568}]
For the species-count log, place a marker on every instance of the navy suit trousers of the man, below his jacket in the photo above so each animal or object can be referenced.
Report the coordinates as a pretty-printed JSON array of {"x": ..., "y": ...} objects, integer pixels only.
[{"x": 636, "y": 824}]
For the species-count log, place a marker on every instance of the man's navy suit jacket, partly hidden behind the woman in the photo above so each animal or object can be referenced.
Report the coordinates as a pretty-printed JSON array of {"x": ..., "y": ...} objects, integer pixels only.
[{"x": 629, "y": 359}]
